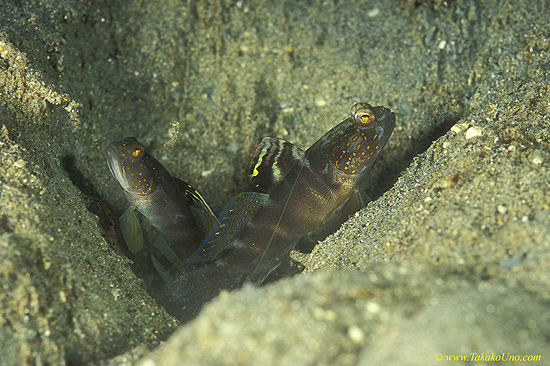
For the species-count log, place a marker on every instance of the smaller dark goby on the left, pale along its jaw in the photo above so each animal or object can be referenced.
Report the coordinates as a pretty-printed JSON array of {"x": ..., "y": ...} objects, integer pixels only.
[{"x": 176, "y": 210}]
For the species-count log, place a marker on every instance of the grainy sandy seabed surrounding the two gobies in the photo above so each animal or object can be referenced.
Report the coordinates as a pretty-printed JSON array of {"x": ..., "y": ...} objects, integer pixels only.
[{"x": 451, "y": 261}]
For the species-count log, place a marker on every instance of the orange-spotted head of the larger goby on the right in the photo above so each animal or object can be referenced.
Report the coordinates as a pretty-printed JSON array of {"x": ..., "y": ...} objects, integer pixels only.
[{"x": 350, "y": 148}]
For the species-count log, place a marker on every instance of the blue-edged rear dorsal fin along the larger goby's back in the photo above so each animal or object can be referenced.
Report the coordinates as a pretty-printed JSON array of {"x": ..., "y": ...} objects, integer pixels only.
[{"x": 233, "y": 218}]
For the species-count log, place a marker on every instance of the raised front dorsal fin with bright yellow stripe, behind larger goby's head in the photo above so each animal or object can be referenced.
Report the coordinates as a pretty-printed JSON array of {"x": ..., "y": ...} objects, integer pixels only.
[{"x": 271, "y": 161}]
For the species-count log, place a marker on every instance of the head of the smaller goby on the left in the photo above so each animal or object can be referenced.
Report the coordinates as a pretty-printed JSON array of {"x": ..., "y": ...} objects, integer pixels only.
[{"x": 138, "y": 173}]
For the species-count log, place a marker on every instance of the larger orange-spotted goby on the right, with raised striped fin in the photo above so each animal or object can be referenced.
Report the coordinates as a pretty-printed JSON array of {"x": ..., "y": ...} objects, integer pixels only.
[{"x": 303, "y": 189}]
